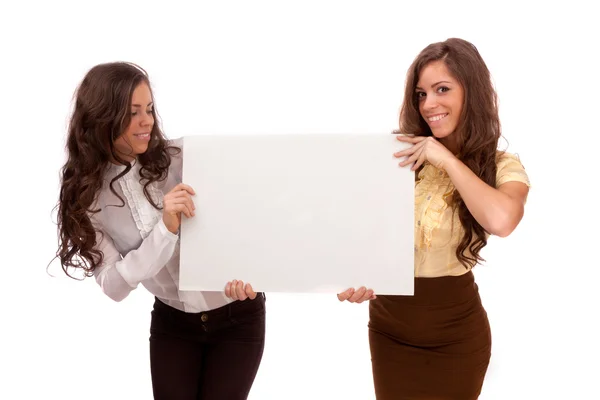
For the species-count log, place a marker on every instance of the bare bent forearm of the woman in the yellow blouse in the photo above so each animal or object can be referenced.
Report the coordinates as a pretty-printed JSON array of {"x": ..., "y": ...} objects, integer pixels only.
[{"x": 497, "y": 212}]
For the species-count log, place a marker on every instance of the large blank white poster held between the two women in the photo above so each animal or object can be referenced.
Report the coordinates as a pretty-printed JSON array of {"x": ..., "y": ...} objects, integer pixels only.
[{"x": 303, "y": 213}]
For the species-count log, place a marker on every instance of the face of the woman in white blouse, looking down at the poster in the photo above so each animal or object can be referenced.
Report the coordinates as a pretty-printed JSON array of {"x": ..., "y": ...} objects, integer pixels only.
[{"x": 135, "y": 139}]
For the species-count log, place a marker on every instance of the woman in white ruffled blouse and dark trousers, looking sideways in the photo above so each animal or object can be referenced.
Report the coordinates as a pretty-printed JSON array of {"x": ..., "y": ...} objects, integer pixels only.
[{"x": 120, "y": 208}]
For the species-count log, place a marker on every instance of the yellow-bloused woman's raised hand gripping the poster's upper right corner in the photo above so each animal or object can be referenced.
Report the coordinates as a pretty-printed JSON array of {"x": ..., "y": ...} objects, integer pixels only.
[{"x": 425, "y": 148}]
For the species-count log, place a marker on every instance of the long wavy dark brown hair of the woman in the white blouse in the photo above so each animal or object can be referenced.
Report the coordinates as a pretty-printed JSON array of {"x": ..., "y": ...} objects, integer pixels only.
[{"x": 102, "y": 112}]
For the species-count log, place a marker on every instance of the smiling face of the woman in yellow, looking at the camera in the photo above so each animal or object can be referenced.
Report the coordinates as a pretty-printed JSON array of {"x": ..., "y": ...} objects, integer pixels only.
[{"x": 440, "y": 98}]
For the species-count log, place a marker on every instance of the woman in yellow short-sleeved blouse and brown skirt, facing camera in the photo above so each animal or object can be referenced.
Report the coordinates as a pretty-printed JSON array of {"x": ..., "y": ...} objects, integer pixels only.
[{"x": 437, "y": 343}]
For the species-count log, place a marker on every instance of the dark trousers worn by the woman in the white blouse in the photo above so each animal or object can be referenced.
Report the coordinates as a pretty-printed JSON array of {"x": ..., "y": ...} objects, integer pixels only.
[{"x": 211, "y": 355}]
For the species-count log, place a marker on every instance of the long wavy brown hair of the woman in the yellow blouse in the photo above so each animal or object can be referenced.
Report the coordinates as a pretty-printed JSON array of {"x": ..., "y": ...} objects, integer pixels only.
[{"x": 478, "y": 131}]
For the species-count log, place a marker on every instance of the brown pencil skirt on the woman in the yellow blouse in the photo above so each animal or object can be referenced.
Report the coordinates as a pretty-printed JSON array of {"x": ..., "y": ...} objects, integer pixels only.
[{"x": 435, "y": 345}]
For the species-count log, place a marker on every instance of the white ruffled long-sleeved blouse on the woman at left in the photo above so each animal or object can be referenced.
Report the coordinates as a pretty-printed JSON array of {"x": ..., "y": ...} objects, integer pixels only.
[{"x": 137, "y": 246}]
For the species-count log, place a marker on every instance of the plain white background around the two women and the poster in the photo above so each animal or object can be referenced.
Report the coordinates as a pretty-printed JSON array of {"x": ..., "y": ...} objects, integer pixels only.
[{"x": 309, "y": 66}]
